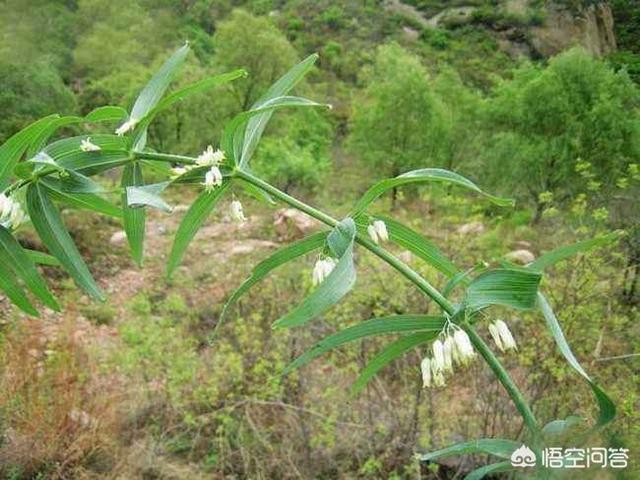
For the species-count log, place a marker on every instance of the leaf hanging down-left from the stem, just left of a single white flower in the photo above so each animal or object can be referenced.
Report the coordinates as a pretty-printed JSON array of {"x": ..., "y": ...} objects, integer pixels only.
[{"x": 191, "y": 223}]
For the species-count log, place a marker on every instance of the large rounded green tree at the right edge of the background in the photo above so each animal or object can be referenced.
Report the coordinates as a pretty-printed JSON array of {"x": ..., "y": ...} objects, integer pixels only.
[{"x": 576, "y": 118}]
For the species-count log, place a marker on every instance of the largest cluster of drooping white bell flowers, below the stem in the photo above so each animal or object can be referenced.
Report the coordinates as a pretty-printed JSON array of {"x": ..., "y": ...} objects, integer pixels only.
[{"x": 454, "y": 350}]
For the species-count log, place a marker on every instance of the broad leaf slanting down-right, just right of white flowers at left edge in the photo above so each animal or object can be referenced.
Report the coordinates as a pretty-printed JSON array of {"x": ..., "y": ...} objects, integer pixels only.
[{"x": 47, "y": 222}]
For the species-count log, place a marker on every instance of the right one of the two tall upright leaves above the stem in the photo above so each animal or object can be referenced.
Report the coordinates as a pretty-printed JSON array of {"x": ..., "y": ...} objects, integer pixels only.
[{"x": 255, "y": 126}]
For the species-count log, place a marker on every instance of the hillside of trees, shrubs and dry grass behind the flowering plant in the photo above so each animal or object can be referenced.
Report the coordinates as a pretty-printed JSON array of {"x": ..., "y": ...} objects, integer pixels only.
[{"x": 135, "y": 388}]
